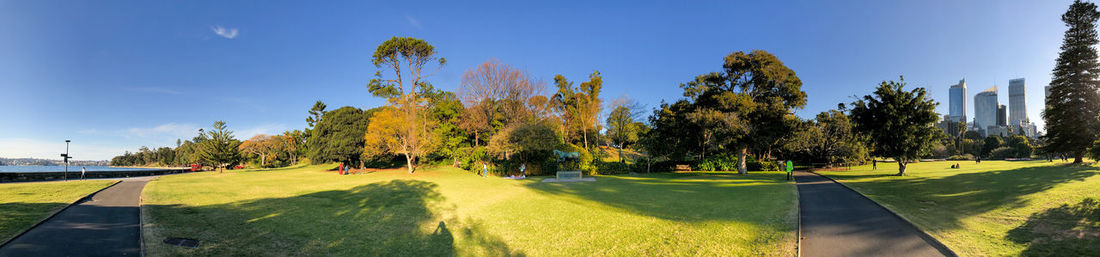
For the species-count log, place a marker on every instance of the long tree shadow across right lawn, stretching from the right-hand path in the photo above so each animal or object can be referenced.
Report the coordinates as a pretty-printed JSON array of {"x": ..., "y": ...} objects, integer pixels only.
[{"x": 945, "y": 202}]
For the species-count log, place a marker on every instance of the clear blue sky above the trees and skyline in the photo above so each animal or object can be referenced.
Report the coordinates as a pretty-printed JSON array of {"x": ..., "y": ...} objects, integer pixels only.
[{"x": 117, "y": 75}]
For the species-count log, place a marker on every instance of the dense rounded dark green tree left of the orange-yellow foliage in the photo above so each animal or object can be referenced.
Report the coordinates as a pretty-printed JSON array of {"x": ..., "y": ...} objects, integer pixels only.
[{"x": 339, "y": 137}]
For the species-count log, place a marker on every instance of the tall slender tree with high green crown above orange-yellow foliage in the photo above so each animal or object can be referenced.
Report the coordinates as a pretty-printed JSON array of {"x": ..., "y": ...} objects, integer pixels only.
[{"x": 406, "y": 58}]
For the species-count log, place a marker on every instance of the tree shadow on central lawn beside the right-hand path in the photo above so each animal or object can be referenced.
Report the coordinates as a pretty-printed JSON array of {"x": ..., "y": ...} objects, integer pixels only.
[{"x": 757, "y": 198}]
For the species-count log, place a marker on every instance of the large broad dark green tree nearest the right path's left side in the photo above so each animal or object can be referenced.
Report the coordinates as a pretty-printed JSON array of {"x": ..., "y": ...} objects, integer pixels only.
[{"x": 761, "y": 93}]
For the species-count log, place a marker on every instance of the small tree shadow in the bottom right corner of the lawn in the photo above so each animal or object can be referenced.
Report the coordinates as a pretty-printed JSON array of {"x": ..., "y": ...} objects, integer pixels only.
[{"x": 1063, "y": 231}]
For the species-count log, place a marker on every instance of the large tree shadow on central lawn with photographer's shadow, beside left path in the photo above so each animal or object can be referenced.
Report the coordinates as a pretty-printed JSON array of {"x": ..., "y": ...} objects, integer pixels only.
[{"x": 395, "y": 218}]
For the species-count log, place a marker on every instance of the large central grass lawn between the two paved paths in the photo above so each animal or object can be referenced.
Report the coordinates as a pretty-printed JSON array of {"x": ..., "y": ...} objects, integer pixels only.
[{"x": 450, "y": 213}]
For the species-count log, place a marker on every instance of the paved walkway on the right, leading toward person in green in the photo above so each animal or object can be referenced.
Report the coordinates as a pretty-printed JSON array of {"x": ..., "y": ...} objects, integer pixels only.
[{"x": 840, "y": 222}]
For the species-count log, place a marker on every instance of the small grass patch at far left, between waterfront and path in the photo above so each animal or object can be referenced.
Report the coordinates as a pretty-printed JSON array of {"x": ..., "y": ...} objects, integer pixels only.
[{"x": 25, "y": 205}]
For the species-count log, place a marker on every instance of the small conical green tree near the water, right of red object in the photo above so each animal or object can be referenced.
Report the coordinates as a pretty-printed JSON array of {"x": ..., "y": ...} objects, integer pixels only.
[{"x": 219, "y": 148}]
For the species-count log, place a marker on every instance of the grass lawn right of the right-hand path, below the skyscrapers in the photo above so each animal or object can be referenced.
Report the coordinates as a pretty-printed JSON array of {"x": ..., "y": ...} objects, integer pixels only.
[{"x": 994, "y": 208}]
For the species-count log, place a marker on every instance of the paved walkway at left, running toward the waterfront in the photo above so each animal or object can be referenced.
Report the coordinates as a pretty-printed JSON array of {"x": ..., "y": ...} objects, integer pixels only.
[{"x": 105, "y": 226}]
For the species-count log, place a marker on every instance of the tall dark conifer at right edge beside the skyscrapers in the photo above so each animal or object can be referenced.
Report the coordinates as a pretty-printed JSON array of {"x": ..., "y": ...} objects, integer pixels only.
[{"x": 1073, "y": 105}]
